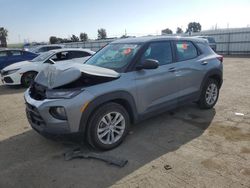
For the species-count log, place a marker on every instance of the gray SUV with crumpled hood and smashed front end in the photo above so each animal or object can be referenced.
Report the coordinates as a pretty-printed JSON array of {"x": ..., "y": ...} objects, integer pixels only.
[{"x": 123, "y": 83}]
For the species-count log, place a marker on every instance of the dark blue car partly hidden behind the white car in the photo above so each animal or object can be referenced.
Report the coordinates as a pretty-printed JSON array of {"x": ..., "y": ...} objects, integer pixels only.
[{"x": 10, "y": 56}]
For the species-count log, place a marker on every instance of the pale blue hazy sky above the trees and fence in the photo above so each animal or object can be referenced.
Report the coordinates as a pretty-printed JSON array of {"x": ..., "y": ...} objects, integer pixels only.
[{"x": 37, "y": 20}]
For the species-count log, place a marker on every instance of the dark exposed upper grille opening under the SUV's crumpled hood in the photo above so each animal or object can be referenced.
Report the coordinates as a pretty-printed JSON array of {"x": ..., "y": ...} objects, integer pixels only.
[{"x": 37, "y": 91}]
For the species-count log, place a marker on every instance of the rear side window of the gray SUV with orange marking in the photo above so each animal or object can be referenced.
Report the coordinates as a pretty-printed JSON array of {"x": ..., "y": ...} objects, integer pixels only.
[{"x": 186, "y": 50}]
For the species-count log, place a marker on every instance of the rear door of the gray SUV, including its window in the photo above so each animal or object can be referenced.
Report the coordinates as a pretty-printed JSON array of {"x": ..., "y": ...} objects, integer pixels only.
[{"x": 189, "y": 69}]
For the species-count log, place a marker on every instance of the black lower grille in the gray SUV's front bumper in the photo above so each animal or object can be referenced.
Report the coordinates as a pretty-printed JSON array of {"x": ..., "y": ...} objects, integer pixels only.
[{"x": 34, "y": 116}]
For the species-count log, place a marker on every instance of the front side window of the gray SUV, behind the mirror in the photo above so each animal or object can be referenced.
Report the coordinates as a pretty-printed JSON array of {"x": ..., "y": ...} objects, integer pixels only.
[{"x": 160, "y": 51}]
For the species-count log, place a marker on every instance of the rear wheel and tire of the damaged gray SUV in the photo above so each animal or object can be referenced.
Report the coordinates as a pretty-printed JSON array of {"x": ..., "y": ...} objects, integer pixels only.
[{"x": 209, "y": 94}]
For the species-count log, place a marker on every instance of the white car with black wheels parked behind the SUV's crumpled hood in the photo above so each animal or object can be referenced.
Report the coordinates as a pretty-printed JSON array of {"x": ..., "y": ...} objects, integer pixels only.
[{"x": 24, "y": 72}]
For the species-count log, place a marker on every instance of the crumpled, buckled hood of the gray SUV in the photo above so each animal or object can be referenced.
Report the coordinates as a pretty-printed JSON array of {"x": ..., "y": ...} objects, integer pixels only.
[{"x": 54, "y": 76}]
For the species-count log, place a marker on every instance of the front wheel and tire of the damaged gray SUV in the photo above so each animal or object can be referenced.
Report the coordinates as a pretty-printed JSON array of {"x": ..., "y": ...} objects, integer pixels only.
[{"x": 108, "y": 126}]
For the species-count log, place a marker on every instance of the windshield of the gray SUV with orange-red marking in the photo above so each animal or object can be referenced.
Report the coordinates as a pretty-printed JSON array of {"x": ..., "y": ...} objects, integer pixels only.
[{"x": 114, "y": 56}]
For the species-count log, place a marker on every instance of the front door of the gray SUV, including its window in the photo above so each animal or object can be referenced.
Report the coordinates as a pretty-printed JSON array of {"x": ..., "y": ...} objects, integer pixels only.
[{"x": 157, "y": 87}]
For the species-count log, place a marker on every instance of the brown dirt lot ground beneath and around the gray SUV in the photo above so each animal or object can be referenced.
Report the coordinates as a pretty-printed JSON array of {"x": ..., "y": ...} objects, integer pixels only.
[{"x": 202, "y": 148}]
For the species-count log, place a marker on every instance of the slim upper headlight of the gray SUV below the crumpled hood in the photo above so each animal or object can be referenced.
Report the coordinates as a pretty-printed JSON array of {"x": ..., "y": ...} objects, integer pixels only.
[{"x": 62, "y": 94}]
